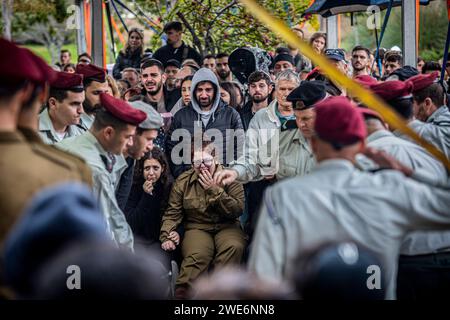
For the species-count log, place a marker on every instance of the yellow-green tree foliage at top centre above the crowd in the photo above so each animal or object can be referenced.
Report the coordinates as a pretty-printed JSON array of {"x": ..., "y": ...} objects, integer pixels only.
[{"x": 223, "y": 25}]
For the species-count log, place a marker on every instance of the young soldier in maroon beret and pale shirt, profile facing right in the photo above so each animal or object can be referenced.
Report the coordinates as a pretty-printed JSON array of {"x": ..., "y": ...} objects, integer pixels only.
[{"x": 102, "y": 146}]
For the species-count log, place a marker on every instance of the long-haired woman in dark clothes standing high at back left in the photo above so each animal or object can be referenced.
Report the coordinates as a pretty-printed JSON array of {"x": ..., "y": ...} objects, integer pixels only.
[{"x": 131, "y": 56}]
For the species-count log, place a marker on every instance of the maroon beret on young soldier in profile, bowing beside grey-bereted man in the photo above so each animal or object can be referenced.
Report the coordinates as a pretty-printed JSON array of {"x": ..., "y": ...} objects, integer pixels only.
[{"x": 122, "y": 110}]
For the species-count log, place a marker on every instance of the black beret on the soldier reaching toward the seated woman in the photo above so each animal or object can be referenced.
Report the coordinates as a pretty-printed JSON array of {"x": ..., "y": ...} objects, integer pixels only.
[{"x": 309, "y": 92}]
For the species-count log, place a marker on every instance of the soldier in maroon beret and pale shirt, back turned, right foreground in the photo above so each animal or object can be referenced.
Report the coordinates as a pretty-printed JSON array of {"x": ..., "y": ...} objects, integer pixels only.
[{"x": 337, "y": 201}]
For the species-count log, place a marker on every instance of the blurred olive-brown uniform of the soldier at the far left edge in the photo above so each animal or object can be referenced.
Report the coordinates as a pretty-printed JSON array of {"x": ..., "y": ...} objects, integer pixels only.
[{"x": 25, "y": 169}]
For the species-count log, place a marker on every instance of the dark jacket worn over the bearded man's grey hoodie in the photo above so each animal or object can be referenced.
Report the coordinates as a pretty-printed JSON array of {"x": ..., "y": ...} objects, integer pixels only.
[{"x": 225, "y": 117}]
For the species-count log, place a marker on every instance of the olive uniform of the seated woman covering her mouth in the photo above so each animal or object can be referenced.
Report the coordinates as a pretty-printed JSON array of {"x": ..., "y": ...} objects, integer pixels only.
[{"x": 213, "y": 233}]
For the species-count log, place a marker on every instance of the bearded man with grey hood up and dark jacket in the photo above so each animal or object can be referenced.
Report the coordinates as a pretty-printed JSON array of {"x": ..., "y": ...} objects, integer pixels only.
[{"x": 206, "y": 114}]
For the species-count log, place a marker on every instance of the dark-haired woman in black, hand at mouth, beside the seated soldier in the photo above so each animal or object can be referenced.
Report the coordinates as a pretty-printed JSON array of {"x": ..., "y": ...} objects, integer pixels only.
[{"x": 148, "y": 199}]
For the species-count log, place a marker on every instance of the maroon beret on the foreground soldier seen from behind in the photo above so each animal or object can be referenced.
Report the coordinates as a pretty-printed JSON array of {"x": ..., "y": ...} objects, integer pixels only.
[{"x": 338, "y": 121}]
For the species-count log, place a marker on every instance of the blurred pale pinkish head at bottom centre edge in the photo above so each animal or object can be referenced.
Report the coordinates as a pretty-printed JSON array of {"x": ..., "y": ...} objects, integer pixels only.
[{"x": 233, "y": 283}]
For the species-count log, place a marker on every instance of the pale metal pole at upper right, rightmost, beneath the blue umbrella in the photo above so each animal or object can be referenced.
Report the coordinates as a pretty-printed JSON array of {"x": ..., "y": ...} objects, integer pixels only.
[{"x": 409, "y": 32}]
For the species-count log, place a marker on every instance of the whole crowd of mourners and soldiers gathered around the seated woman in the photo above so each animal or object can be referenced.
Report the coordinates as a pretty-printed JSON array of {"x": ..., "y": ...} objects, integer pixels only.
[{"x": 177, "y": 175}]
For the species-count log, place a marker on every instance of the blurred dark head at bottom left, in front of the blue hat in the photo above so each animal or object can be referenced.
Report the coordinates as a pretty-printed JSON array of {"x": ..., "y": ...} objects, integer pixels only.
[{"x": 106, "y": 273}]
